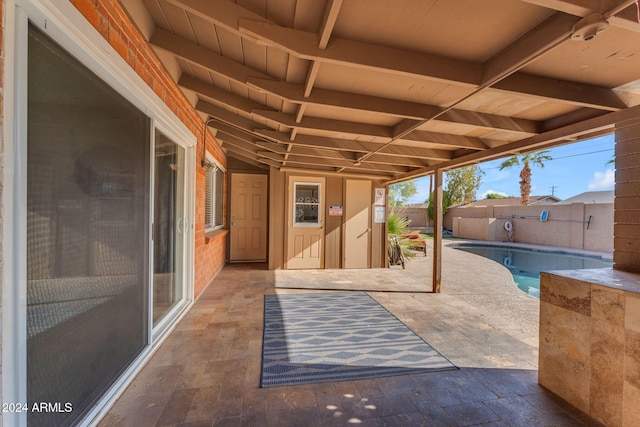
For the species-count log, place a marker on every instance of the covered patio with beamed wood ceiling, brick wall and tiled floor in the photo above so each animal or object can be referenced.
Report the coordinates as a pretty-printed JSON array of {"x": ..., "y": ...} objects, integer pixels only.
[{"x": 317, "y": 107}]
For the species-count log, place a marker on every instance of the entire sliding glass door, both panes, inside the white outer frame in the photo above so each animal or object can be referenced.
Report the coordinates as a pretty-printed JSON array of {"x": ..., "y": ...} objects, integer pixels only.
[{"x": 109, "y": 245}]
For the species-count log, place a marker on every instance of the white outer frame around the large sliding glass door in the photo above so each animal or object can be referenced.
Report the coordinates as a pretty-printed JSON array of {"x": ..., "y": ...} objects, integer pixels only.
[{"x": 64, "y": 24}]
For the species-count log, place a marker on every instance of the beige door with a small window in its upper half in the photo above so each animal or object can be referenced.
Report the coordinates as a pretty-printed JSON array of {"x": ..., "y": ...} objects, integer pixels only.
[{"x": 305, "y": 223}]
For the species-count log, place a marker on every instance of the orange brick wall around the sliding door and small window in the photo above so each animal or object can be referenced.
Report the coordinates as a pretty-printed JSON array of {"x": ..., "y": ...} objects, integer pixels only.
[{"x": 109, "y": 18}]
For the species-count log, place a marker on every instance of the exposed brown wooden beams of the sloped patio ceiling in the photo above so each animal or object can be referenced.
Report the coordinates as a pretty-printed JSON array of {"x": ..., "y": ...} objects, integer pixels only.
[{"x": 499, "y": 73}]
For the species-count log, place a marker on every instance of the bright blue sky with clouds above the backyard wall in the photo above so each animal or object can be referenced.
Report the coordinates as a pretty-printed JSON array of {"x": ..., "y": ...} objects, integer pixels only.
[{"x": 574, "y": 169}]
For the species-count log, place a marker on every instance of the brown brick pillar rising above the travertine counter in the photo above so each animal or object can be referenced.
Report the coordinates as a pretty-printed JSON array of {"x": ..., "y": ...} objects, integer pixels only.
[{"x": 626, "y": 253}]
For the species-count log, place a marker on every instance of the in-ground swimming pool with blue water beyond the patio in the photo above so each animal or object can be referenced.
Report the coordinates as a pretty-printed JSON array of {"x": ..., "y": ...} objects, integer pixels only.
[{"x": 526, "y": 264}]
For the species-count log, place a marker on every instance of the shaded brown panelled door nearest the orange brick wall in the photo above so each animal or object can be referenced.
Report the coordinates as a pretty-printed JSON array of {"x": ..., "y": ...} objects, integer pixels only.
[{"x": 248, "y": 231}]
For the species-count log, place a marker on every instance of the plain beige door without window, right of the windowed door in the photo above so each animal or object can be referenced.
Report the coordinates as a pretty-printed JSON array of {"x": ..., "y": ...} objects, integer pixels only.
[{"x": 357, "y": 225}]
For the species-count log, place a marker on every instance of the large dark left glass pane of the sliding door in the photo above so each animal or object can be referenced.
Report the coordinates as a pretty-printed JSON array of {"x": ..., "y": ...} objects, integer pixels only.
[{"x": 88, "y": 209}]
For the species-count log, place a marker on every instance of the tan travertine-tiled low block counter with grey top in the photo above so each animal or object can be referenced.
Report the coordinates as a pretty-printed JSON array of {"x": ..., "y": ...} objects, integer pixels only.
[{"x": 590, "y": 342}]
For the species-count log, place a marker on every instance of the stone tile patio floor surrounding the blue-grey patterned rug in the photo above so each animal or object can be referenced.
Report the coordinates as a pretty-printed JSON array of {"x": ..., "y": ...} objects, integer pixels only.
[{"x": 207, "y": 372}]
